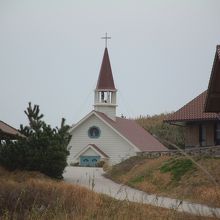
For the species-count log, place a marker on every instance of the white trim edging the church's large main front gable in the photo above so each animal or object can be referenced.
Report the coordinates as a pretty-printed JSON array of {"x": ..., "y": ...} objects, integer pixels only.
[{"x": 105, "y": 122}]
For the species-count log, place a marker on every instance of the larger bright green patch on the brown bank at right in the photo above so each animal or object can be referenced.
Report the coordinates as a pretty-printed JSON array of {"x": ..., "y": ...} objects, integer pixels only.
[{"x": 177, "y": 167}]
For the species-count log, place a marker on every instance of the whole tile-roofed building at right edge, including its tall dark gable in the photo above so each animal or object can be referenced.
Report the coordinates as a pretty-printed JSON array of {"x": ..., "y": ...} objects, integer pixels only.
[{"x": 201, "y": 117}]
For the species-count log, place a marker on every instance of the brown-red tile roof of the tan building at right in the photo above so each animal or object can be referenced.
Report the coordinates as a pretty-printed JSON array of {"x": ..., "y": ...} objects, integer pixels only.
[{"x": 192, "y": 111}]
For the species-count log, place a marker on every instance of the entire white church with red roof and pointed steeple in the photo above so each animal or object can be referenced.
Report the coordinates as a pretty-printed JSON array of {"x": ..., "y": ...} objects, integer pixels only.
[{"x": 101, "y": 135}]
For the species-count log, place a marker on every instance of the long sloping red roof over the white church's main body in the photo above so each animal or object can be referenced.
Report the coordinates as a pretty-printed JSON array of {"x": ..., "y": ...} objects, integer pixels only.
[{"x": 134, "y": 133}]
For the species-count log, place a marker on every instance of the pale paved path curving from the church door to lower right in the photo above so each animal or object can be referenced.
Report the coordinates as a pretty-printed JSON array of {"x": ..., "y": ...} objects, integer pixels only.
[{"x": 92, "y": 178}]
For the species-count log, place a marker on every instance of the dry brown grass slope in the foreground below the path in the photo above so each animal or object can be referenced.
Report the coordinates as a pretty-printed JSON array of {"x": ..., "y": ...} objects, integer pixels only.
[{"x": 31, "y": 195}]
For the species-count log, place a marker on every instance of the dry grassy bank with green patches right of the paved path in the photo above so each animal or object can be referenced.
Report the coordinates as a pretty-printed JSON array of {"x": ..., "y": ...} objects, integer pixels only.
[{"x": 174, "y": 177}]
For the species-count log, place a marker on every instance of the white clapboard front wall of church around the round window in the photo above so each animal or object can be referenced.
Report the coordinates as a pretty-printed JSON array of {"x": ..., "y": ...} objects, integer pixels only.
[{"x": 109, "y": 141}]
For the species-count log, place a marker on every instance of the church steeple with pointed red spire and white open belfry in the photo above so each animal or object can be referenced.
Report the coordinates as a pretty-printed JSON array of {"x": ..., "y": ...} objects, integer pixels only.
[{"x": 105, "y": 92}]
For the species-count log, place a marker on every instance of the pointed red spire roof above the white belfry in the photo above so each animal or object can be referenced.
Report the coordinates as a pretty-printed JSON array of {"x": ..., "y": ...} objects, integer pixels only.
[{"x": 105, "y": 80}]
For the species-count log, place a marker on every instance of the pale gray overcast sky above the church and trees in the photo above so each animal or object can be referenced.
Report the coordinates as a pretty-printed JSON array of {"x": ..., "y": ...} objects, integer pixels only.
[{"x": 161, "y": 54}]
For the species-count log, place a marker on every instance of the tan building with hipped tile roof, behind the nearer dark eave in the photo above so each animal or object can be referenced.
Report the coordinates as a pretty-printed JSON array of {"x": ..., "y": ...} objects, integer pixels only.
[{"x": 201, "y": 129}]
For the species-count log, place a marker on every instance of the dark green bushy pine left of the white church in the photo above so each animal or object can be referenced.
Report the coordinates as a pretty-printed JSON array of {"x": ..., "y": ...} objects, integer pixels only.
[{"x": 44, "y": 149}]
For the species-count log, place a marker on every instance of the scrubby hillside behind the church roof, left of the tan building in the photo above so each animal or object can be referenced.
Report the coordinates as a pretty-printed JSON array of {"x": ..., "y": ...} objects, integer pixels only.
[{"x": 163, "y": 131}]
